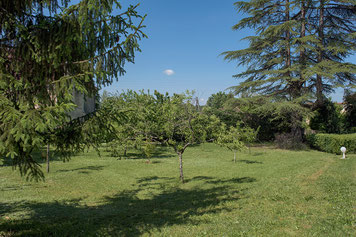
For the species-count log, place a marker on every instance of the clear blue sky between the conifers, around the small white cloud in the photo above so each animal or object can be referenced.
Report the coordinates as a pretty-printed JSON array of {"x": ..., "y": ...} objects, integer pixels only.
[{"x": 186, "y": 37}]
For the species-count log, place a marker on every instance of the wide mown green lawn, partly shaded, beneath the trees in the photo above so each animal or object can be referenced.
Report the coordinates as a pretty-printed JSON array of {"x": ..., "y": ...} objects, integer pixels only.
[{"x": 269, "y": 192}]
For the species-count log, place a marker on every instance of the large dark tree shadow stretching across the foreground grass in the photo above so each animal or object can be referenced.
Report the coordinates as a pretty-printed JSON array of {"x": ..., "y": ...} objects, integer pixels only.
[{"x": 124, "y": 214}]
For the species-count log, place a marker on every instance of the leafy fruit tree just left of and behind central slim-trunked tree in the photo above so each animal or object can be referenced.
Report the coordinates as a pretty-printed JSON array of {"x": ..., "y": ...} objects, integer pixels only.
[{"x": 141, "y": 124}]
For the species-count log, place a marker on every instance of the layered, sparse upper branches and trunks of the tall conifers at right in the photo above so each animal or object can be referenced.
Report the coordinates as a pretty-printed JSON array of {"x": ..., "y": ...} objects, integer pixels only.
[{"x": 299, "y": 47}]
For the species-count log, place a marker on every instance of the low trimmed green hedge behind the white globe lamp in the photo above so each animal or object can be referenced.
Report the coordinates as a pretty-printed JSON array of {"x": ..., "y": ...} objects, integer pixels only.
[{"x": 333, "y": 142}]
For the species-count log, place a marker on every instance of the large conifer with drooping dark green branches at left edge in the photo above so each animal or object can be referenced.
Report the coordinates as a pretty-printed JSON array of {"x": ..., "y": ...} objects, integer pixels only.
[{"x": 49, "y": 49}]
